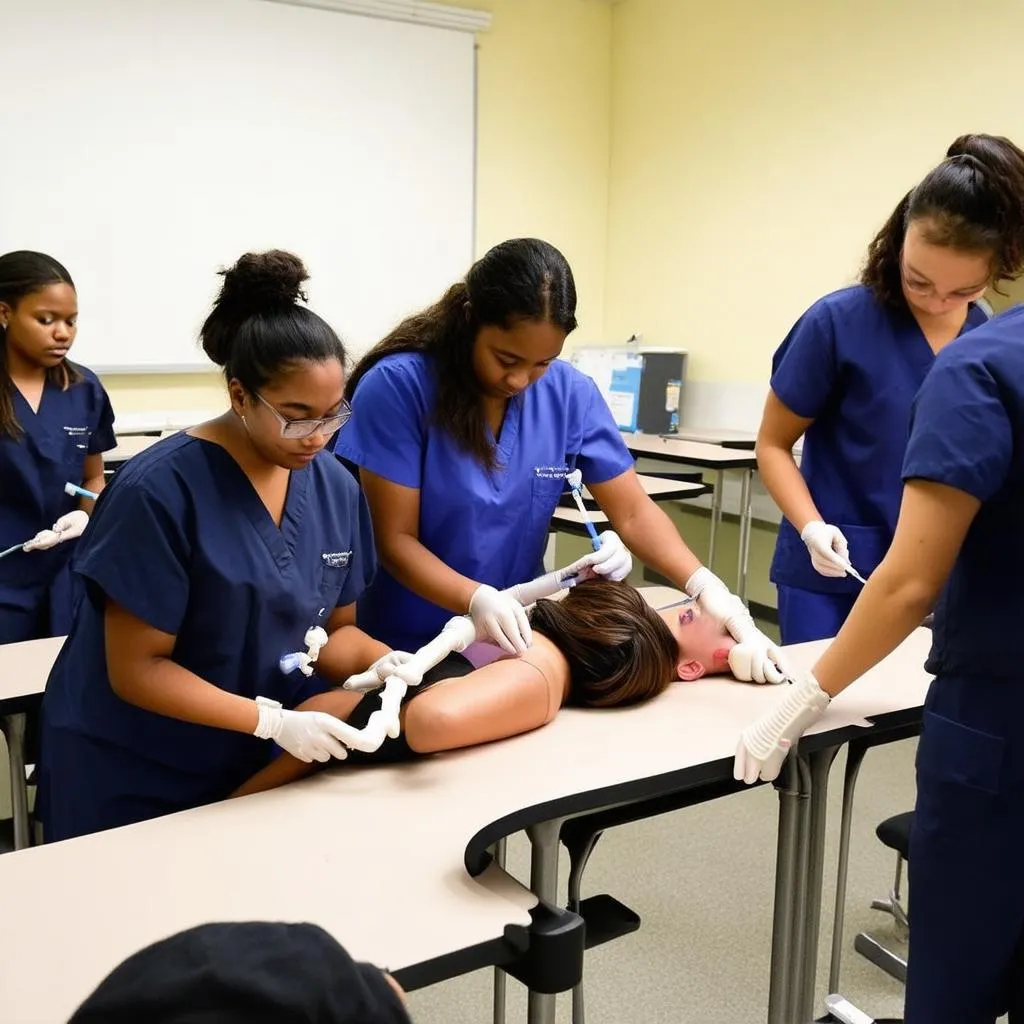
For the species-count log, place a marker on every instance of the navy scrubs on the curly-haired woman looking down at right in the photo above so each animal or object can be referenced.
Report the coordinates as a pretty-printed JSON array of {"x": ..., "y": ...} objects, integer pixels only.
[{"x": 855, "y": 368}]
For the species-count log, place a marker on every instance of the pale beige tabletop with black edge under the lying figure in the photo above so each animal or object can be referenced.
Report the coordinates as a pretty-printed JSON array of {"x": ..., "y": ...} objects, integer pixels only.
[{"x": 374, "y": 855}]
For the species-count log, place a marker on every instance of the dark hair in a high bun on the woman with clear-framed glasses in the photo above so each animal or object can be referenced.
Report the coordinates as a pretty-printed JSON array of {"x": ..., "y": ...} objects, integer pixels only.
[{"x": 257, "y": 326}]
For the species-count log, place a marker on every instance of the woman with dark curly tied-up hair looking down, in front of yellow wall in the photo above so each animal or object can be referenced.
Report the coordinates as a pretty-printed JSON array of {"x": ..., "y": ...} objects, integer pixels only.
[{"x": 847, "y": 373}]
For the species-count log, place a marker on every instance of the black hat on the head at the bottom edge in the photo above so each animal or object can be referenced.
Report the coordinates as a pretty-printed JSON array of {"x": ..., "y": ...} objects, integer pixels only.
[{"x": 251, "y": 973}]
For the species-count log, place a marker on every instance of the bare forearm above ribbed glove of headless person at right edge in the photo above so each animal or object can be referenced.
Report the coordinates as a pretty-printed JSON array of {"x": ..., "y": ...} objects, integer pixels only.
[{"x": 886, "y": 614}]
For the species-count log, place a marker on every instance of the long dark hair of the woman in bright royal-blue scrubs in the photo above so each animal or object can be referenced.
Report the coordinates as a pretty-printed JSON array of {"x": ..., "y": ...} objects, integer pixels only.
[{"x": 520, "y": 280}]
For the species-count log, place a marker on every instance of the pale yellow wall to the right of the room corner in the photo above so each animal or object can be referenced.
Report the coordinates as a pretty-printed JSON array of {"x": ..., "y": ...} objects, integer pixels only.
[{"x": 758, "y": 147}]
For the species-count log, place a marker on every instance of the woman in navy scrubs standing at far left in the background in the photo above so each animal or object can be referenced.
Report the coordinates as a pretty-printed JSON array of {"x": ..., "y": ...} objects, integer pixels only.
[{"x": 56, "y": 422}]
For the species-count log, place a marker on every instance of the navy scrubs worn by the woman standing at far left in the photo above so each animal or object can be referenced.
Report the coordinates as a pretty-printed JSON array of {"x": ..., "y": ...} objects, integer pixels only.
[{"x": 70, "y": 424}]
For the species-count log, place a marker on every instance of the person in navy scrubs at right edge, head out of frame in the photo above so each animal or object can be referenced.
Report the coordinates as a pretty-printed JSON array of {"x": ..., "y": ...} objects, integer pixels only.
[{"x": 959, "y": 540}]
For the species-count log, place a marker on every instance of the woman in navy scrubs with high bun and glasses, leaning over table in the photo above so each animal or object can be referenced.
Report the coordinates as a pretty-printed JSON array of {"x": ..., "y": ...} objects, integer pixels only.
[{"x": 208, "y": 560}]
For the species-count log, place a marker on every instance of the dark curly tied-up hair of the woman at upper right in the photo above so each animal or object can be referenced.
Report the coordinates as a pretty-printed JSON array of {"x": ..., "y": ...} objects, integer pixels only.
[{"x": 973, "y": 202}]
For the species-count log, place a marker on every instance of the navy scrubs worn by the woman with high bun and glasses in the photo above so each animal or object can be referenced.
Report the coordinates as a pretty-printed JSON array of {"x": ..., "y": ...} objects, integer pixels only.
[{"x": 182, "y": 540}]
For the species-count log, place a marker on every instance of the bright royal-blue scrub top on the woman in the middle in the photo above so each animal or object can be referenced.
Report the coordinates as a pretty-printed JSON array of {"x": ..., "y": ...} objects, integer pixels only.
[{"x": 490, "y": 527}]
